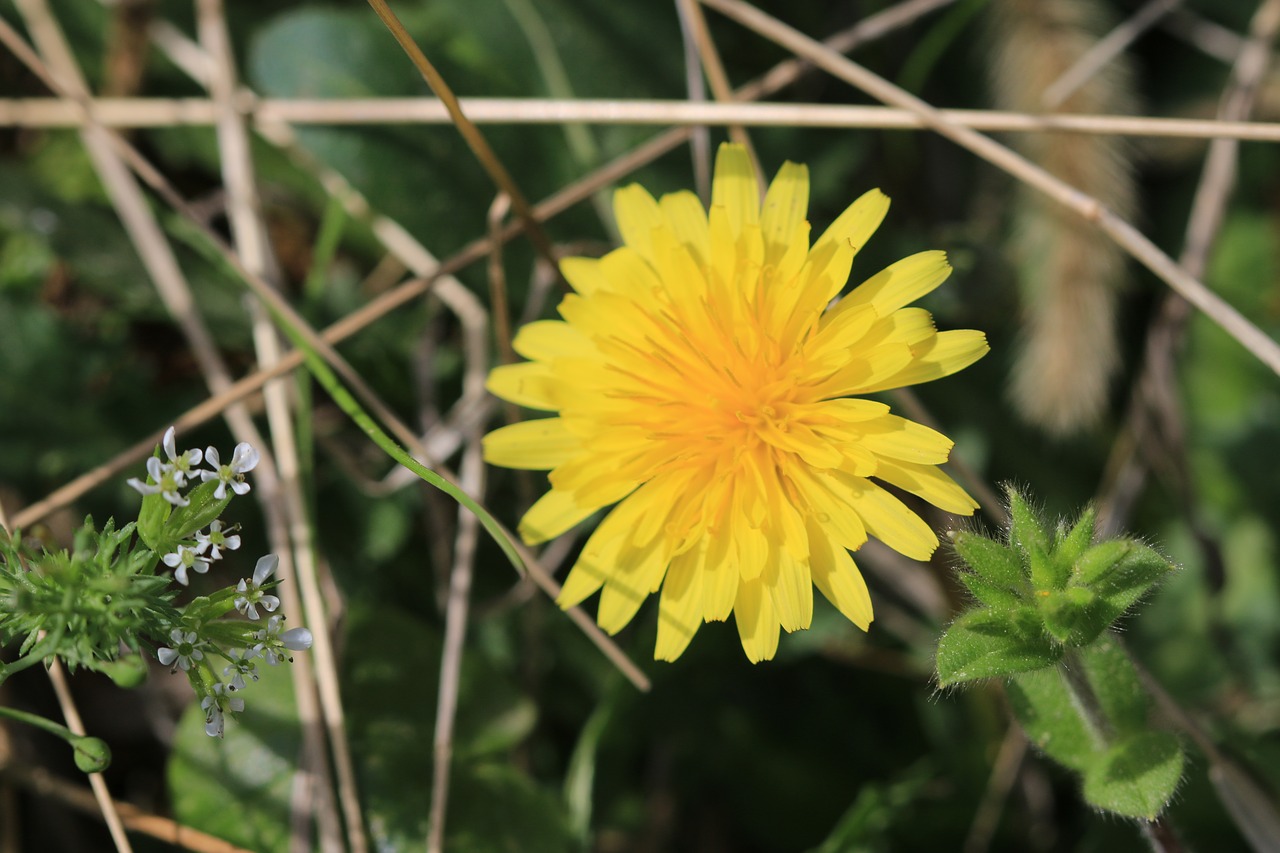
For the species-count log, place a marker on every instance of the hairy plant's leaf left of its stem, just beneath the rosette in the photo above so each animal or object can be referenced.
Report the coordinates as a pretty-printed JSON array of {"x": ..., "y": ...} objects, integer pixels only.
[{"x": 1052, "y": 719}]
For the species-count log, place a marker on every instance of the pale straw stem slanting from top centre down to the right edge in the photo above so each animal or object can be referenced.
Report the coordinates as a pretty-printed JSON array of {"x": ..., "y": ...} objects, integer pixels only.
[{"x": 1121, "y": 231}]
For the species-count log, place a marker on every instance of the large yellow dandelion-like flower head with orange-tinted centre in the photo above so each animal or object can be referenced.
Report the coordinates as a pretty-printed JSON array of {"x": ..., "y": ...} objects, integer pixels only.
[{"x": 705, "y": 386}]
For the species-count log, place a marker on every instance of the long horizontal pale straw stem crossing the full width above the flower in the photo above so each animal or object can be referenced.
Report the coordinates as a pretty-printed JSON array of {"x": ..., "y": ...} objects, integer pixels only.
[{"x": 269, "y": 113}]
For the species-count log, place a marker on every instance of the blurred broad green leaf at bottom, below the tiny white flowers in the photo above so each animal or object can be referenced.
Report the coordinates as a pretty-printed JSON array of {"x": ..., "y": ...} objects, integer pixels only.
[{"x": 239, "y": 787}]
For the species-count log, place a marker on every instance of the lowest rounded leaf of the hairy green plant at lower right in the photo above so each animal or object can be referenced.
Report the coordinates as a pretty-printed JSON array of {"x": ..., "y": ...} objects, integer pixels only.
[{"x": 1137, "y": 778}]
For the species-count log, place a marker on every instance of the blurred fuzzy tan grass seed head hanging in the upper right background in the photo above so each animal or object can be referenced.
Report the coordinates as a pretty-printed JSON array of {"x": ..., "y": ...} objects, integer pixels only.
[{"x": 1069, "y": 273}]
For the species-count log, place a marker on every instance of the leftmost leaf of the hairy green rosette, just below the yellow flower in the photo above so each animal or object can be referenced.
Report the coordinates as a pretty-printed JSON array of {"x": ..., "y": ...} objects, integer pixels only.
[{"x": 984, "y": 645}]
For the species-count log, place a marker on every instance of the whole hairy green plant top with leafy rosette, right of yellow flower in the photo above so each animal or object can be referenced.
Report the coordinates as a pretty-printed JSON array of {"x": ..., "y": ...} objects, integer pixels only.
[{"x": 1046, "y": 603}]
